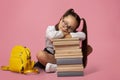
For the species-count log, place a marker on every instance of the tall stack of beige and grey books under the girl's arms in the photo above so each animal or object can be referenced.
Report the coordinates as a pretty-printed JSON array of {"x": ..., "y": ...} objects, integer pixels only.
[{"x": 68, "y": 55}]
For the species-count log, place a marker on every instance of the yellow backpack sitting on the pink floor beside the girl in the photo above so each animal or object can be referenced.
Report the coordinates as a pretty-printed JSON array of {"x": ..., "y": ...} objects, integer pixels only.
[{"x": 20, "y": 61}]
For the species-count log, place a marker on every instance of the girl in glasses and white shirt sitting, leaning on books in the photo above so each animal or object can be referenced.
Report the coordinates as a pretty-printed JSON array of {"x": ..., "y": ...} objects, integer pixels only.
[{"x": 66, "y": 28}]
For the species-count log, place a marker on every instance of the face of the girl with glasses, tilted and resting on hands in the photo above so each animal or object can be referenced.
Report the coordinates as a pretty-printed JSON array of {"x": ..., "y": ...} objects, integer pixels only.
[{"x": 68, "y": 24}]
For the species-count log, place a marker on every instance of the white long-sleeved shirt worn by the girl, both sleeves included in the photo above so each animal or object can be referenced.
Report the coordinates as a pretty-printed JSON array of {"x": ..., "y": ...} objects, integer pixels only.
[{"x": 51, "y": 33}]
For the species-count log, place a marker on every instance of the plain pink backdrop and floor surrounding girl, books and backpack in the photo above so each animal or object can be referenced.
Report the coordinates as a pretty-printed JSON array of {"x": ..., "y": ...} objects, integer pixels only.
[{"x": 24, "y": 22}]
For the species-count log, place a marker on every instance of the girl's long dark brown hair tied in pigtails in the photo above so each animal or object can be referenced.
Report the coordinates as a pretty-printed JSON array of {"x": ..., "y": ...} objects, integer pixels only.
[{"x": 84, "y": 29}]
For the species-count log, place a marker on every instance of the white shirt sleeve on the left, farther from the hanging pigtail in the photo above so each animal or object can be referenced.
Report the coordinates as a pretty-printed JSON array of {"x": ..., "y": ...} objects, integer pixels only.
[{"x": 51, "y": 33}]
